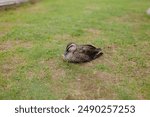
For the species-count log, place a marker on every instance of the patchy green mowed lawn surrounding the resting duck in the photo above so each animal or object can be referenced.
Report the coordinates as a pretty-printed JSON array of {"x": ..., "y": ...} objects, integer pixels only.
[{"x": 33, "y": 38}]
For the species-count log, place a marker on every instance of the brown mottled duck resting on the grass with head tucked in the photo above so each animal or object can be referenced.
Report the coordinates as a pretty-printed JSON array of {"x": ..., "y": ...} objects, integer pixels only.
[{"x": 75, "y": 53}]
